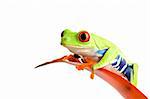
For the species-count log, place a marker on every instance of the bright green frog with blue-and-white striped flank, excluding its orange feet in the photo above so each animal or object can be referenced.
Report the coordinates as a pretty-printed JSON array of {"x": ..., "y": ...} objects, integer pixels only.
[{"x": 101, "y": 50}]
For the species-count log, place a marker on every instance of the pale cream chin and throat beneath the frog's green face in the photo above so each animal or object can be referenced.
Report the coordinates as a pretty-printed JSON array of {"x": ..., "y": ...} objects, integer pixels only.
[{"x": 83, "y": 52}]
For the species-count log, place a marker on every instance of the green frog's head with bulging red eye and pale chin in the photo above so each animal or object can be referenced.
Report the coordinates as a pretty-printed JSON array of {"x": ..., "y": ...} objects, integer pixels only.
[{"x": 80, "y": 43}]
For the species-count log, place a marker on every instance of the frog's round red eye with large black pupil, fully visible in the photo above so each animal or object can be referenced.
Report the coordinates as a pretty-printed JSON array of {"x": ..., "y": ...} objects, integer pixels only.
[{"x": 84, "y": 36}]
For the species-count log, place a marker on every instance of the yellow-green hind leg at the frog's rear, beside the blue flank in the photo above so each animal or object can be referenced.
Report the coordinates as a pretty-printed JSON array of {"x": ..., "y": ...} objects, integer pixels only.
[{"x": 135, "y": 74}]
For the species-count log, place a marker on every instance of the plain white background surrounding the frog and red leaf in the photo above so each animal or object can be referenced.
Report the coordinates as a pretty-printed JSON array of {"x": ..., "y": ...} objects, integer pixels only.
[{"x": 30, "y": 35}]
